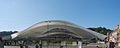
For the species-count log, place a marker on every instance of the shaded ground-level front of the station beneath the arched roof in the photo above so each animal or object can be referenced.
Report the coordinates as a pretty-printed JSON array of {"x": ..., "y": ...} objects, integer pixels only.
[{"x": 49, "y": 41}]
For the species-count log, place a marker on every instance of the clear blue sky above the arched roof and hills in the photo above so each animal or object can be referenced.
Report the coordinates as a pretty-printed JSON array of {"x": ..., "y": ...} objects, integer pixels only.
[{"x": 21, "y": 14}]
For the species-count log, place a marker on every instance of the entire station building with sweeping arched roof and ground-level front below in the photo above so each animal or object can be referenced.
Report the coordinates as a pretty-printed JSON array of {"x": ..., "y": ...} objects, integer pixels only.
[{"x": 51, "y": 34}]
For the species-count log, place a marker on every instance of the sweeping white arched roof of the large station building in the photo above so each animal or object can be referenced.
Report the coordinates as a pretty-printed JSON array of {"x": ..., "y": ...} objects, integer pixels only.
[{"x": 45, "y": 28}]
